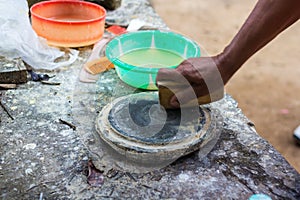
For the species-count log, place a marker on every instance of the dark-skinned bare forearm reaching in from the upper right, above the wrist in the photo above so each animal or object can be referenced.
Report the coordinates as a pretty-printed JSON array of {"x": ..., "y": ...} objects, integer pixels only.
[{"x": 266, "y": 21}]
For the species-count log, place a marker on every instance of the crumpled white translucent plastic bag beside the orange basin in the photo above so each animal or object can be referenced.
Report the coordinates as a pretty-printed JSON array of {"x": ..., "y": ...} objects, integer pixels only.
[{"x": 18, "y": 39}]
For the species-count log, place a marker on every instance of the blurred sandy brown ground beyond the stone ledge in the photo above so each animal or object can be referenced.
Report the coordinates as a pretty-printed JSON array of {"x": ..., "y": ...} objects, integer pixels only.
[{"x": 267, "y": 87}]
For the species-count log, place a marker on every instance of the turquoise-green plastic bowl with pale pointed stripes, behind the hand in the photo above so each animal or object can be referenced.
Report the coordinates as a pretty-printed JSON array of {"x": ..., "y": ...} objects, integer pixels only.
[{"x": 135, "y": 73}]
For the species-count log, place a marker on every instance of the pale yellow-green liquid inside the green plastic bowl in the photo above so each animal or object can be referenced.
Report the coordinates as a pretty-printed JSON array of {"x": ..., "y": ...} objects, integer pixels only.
[{"x": 151, "y": 58}]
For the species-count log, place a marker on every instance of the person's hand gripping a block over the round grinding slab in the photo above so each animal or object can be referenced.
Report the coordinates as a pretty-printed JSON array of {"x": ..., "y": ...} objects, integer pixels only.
[{"x": 193, "y": 78}]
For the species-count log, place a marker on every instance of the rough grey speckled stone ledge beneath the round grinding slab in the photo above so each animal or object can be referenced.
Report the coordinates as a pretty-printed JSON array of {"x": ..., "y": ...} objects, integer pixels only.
[{"x": 39, "y": 156}]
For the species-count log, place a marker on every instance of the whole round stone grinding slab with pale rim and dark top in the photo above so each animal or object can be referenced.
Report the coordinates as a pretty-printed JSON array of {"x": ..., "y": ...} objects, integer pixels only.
[{"x": 138, "y": 128}]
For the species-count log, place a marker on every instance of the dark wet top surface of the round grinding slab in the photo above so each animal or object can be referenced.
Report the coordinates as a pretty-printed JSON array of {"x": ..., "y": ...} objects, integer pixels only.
[{"x": 144, "y": 121}]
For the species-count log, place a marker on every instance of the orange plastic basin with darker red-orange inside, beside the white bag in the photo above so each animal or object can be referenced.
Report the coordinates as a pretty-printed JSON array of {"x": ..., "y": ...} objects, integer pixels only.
[{"x": 68, "y": 23}]
